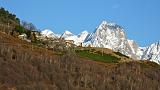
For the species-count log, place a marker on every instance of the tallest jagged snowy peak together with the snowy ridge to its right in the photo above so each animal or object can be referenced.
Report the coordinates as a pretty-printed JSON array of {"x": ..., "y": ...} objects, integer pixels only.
[{"x": 112, "y": 36}]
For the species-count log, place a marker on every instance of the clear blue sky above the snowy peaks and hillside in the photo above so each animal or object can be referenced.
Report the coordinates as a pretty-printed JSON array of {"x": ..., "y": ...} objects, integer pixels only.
[{"x": 140, "y": 18}]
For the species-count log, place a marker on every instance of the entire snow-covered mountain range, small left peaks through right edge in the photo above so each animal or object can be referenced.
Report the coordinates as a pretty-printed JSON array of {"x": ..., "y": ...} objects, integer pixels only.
[{"x": 112, "y": 36}]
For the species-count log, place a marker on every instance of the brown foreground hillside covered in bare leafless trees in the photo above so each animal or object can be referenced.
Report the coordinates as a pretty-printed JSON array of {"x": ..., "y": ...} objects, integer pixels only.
[{"x": 27, "y": 67}]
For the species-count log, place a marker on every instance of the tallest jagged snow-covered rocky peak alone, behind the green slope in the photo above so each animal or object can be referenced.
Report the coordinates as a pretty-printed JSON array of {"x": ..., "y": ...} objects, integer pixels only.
[{"x": 112, "y": 36}]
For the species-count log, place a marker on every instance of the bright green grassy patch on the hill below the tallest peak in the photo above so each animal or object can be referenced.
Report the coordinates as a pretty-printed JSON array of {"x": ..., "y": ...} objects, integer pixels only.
[{"x": 101, "y": 55}]
